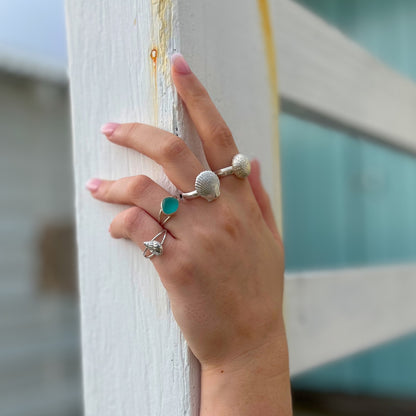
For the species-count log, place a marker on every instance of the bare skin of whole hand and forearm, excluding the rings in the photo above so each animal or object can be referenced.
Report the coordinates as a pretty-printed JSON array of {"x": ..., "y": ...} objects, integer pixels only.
[{"x": 223, "y": 261}]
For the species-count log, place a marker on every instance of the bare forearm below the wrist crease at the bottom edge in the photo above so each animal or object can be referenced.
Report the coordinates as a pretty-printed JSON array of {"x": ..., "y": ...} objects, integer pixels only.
[{"x": 256, "y": 384}]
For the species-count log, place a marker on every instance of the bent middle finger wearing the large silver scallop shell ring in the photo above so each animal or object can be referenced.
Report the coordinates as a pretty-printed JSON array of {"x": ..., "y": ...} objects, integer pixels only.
[{"x": 166, "y": 149}]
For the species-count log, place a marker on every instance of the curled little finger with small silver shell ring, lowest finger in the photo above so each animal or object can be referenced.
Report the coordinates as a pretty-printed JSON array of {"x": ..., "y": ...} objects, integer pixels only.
[{"x": 137, "y": 225}]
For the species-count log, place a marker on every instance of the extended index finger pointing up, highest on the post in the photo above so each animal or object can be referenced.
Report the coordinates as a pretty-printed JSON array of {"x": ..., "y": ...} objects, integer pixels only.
[{"x": 216, "y": 137}]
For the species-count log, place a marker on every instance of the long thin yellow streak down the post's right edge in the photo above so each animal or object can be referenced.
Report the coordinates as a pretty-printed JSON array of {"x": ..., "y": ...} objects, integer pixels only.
[{"x": 270, "y": 54}]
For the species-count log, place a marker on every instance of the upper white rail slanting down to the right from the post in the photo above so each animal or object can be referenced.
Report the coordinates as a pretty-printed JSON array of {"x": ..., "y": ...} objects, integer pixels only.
[{"x": 326, "y": 77}]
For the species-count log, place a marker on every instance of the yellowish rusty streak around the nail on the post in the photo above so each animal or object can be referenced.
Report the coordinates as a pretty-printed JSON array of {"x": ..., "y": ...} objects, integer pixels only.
[{"x": 159, "y": 51}]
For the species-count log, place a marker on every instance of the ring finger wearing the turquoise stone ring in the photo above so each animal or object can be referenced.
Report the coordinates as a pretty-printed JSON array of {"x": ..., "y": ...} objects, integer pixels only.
[{"x": 135, "y": 190}]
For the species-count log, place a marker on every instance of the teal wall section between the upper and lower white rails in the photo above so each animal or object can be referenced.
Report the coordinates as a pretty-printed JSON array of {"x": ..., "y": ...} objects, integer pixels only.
[{"x": 346, "y": 201}]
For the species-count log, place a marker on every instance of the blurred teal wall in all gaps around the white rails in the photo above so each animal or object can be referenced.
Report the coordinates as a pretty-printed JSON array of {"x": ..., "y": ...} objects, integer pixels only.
[{"x": 352, "y": 202}]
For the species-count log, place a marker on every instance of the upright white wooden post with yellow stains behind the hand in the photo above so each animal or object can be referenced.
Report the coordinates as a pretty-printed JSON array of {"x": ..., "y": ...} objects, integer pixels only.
[{"x": 135, "y": 361}]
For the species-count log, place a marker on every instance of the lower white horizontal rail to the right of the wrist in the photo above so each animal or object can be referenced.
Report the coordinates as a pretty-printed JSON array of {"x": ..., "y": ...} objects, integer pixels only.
[{"x": 334, "y": 313}]
